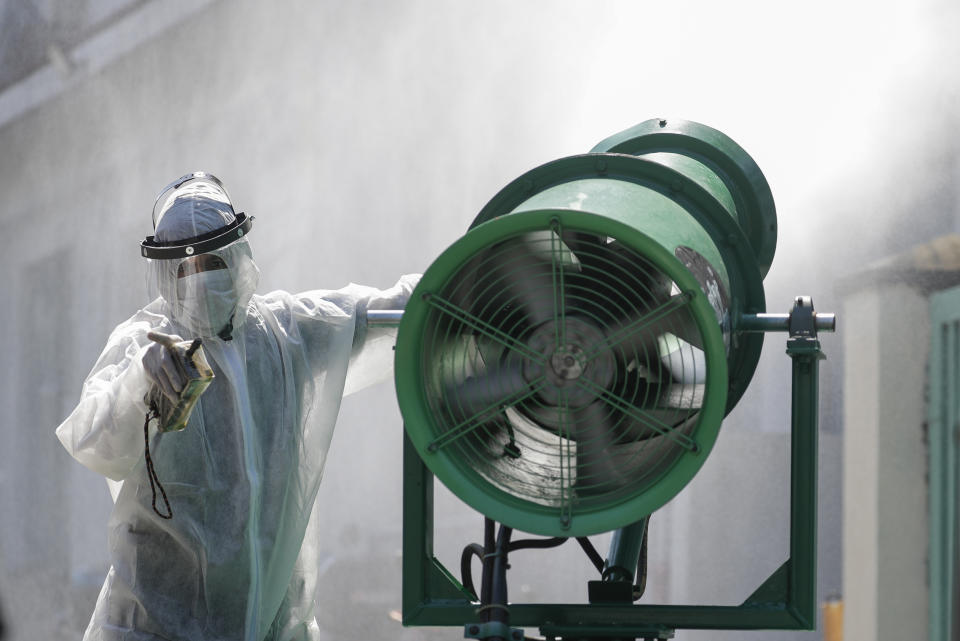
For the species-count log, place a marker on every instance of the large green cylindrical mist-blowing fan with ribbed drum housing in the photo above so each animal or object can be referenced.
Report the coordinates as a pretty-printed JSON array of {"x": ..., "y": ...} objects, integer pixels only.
[{"x": 565, "y": 366}]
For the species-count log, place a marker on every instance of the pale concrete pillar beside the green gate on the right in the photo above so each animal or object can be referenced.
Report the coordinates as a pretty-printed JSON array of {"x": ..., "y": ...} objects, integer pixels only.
[{"x": 885, "y": 537}]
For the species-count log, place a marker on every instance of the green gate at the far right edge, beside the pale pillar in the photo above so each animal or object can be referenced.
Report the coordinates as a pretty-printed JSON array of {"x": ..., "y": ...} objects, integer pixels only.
[{"x": 944, "y": 437}]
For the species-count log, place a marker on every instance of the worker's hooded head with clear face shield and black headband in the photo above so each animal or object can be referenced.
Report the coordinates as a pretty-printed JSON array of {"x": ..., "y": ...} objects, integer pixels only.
[{"x": 198, "y": 260}]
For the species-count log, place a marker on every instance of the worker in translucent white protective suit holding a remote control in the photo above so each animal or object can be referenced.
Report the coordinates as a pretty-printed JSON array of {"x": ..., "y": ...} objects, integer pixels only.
[{"x": 238, "y": 558}]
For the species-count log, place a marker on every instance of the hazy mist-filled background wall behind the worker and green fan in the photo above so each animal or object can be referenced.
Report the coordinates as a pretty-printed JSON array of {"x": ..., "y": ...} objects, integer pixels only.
[{"x": 365, "y": 136}]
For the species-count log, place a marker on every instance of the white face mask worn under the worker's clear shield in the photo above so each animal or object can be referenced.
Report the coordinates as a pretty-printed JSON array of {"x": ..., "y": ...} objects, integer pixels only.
[{"x": 207, "y": 301}]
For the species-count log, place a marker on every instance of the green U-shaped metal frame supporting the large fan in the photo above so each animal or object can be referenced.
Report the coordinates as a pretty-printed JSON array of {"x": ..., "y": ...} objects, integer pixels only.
[{"x": 786, "y": 600}]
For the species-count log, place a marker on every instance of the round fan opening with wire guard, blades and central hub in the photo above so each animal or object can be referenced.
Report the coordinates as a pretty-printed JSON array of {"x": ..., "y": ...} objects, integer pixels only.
[{"x": 563, "y": 371}]
